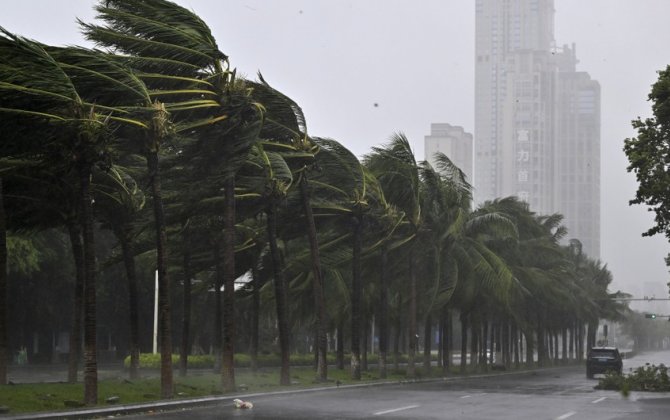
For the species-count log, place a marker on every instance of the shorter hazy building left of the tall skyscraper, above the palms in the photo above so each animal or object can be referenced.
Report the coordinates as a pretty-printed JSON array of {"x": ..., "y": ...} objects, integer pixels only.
[{"x": 454, "y": 142}]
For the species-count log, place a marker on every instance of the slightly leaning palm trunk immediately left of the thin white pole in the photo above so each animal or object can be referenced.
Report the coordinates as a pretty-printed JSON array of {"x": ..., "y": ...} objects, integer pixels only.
[{"x": 129, "y": 262}]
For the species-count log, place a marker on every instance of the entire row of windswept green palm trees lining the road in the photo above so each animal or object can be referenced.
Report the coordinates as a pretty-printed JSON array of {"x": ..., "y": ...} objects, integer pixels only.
[{"x": 157, "y": 139}]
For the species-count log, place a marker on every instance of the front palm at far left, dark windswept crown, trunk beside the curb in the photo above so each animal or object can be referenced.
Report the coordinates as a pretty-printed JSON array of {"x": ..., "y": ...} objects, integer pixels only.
[{"x": 38, "y": 88}]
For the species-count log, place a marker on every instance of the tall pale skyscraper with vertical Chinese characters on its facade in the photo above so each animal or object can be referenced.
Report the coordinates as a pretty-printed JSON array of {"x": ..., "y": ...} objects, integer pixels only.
[{"x": 537, "y": 120}]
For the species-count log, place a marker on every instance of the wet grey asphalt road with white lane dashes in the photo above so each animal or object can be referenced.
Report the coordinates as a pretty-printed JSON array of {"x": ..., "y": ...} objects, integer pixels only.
[{"x": 549, "y": 394}]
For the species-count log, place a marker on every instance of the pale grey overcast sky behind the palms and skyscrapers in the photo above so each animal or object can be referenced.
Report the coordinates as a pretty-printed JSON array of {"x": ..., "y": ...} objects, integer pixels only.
[{"x": 415, "y": 60}]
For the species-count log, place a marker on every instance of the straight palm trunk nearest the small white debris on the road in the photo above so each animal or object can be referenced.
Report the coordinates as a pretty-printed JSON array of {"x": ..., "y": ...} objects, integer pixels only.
[{"x": 228, "y": 351}]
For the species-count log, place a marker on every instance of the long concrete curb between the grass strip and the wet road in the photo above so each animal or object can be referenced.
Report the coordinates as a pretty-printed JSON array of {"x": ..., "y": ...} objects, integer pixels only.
[{"x": 172, "y": 405}]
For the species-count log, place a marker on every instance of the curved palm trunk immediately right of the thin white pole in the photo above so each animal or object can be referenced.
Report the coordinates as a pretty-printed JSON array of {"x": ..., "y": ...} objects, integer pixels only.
[{"x": 163, "y": 281}]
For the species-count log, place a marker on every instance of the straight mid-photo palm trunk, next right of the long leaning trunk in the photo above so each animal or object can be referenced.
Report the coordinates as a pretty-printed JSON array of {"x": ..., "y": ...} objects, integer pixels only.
[{"x": 356, "y": 300}]
